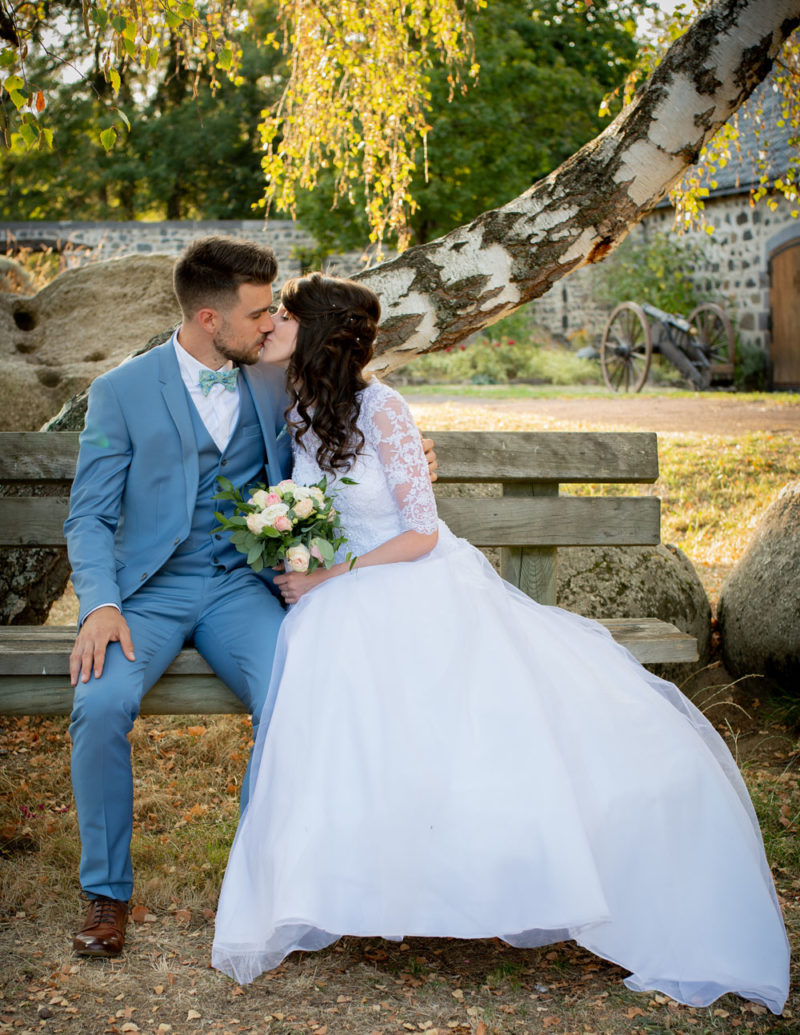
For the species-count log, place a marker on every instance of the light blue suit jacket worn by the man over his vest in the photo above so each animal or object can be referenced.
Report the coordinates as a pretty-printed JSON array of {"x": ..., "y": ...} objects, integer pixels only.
[{"x": 137, "y": 481}]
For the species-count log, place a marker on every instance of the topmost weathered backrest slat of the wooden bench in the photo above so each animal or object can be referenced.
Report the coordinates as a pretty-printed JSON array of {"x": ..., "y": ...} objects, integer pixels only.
[{"x": 565, "y": 457}]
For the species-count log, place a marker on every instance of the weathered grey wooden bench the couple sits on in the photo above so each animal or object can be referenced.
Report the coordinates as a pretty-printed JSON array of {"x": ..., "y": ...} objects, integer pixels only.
[{"x": 529, "y": 522}]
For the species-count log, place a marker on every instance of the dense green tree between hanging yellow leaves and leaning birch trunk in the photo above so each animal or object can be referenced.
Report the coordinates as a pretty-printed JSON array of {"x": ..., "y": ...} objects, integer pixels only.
[{"x": 546, "y": 67}]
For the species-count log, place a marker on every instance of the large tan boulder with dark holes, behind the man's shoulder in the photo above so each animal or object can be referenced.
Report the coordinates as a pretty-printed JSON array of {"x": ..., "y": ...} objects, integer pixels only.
[{"x": 88, "y": 320}]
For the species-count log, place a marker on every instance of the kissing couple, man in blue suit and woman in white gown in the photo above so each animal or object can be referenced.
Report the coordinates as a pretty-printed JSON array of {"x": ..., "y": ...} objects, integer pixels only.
[{"x": 435, "y": 754}]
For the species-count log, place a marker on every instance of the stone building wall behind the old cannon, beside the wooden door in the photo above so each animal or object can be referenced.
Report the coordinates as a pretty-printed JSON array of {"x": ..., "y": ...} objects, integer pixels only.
[{"x": 736, "y": 274}]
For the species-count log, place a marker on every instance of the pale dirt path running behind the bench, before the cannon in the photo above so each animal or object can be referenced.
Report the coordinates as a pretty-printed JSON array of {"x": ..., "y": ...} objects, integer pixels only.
[{"x": 708, "y": 415}]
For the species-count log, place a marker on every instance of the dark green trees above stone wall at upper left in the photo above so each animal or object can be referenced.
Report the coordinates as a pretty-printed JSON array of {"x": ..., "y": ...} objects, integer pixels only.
[{"x": 193, "y": 151}]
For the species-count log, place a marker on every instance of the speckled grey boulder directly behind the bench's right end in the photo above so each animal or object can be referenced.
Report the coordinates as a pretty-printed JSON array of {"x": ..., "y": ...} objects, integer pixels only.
[{"x": 639, "y": 582}]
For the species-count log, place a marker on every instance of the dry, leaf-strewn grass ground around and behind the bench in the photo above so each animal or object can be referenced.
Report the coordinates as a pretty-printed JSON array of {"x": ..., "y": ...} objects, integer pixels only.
[{"x": 188, "y": 775}]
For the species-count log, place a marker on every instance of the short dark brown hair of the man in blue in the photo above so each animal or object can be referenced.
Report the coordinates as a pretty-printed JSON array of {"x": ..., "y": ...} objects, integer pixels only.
[{"x": 212, "y": 270}]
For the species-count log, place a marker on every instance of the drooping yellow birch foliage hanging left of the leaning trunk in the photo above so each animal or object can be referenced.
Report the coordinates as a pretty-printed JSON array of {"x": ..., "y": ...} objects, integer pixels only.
[{"x": 354, "y": 98}]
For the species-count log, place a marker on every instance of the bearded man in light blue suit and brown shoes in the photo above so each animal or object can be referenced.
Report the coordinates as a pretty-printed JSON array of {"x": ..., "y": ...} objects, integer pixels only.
[{"x": 150, "y": 577}]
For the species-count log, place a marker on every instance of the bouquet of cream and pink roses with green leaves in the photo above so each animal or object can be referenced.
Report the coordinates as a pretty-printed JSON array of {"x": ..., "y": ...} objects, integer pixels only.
[{"x": 297, "y": 527}]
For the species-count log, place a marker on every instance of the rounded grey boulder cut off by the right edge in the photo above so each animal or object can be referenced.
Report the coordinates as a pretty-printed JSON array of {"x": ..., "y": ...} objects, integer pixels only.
[{"x": 760, "y": 603}]
